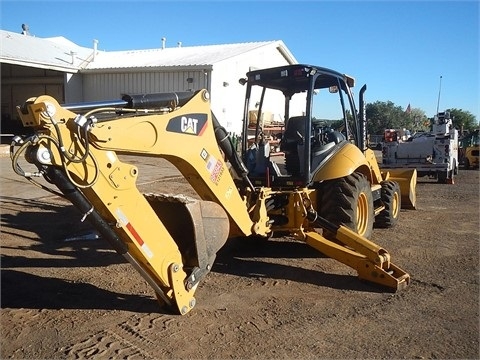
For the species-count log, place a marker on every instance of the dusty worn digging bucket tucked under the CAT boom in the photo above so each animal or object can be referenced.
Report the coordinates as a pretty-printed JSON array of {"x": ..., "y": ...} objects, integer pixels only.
[{"x": 200, "y": 228}]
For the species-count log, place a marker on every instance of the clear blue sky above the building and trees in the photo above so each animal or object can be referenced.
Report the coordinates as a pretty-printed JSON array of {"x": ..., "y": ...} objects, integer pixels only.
[{"x": 399, "y": 49}]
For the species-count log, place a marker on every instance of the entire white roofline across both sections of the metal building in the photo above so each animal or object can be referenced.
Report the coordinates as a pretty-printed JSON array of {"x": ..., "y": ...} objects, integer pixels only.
[{"x": 61, "y": 54}]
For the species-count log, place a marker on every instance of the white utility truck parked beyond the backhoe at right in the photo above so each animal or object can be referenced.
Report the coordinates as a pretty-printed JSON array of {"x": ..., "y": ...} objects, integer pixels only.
[{"x": 433, "y": 154}]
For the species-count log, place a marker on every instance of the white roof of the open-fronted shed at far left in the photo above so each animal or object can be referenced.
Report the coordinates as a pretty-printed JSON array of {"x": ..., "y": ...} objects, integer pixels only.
[{"x": 55, "y": 53}]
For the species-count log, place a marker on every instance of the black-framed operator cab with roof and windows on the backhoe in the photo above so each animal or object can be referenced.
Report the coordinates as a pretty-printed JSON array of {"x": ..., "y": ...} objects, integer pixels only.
[{"x": 296, "y": 117}]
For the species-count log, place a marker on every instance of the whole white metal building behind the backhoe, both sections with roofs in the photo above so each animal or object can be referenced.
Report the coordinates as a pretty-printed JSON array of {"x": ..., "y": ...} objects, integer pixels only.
[{"x": 34, "y": 66}]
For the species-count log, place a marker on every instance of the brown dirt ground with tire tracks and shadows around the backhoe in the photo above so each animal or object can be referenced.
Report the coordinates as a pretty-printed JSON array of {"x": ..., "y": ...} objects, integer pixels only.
[{"x": 67, "y": 298}]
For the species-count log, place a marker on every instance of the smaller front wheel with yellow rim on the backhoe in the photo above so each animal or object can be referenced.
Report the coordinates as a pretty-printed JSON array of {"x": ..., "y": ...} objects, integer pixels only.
[{"x": 391, "y": 198}]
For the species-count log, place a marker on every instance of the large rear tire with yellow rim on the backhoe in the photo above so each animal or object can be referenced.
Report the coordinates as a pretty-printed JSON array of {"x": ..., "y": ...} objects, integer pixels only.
[{"x": 348, "y": 201}]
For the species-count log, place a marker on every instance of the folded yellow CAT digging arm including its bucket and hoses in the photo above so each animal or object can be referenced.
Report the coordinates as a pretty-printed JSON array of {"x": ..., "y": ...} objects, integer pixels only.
[{"x": 172, "y": 252}]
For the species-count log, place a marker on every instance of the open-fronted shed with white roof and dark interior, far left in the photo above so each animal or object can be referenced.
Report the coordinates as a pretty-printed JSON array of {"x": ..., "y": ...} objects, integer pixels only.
[{"x": 32, "y": 66}]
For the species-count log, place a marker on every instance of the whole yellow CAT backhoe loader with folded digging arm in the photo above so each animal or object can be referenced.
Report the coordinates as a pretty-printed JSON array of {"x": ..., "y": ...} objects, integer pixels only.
[{"x": 172, "y": 241}]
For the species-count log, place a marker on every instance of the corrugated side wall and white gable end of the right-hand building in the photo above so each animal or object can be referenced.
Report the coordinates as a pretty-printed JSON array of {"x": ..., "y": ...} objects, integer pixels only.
[{"x": 221, "y": 79}]
